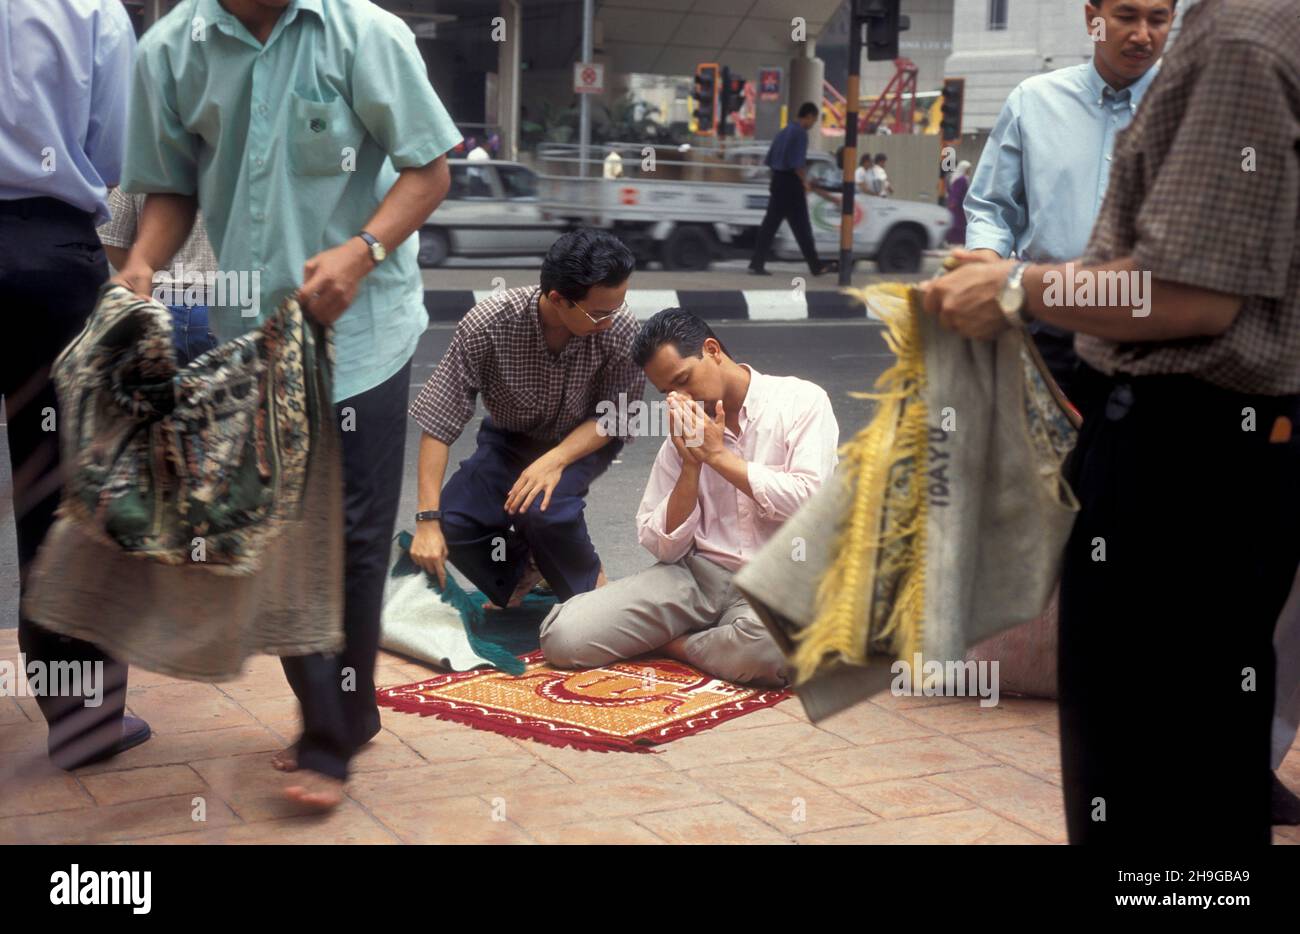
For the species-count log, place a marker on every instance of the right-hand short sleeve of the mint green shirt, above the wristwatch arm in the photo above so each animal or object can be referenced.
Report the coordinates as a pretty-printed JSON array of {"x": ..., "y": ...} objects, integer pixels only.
[{"x": 393, "y": 98}]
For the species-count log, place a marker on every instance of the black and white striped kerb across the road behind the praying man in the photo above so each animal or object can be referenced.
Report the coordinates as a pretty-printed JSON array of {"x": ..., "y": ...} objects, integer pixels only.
[{"x": 721, "y": 305}]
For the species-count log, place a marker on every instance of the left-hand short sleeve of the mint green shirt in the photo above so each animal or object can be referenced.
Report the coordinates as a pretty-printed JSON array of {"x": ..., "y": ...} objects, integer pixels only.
[{"x": 162, "y": 154}]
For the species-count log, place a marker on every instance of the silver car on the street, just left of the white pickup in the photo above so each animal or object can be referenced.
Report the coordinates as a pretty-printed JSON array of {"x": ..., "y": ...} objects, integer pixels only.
[{"x": 492, "y": 210}]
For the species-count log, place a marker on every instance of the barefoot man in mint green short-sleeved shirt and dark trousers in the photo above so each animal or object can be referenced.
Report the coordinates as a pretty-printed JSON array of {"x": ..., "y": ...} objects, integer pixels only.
[{"x": 311, "y": 139}]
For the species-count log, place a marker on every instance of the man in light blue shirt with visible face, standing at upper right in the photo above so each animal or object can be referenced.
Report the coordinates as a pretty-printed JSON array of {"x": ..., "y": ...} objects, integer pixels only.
[{"x": 1043, "y": 175}]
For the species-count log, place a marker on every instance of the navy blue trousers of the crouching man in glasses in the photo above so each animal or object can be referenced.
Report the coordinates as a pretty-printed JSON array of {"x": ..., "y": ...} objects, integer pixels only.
[{"x": 491, "y": 547}]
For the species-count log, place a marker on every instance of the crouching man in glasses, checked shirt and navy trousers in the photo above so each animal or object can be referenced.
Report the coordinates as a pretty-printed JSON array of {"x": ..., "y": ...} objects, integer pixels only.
[{"x": 543, "y": 358}]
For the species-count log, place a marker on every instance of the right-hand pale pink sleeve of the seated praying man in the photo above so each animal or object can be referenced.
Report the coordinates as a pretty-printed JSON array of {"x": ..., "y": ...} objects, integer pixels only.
[{"x": 812, "y": 443}]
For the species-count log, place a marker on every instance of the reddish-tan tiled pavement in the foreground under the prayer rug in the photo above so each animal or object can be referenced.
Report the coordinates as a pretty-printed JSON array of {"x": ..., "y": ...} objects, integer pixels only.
[{"x": 895, "y": 771}]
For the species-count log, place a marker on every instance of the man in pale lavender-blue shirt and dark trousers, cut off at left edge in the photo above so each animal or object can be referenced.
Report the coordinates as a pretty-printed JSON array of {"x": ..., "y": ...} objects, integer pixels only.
[{"x": 64, "y": 79}]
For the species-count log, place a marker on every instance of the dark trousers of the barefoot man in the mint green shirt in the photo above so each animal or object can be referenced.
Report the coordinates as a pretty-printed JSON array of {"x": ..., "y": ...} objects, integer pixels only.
[{"x": 337, "y": 693}]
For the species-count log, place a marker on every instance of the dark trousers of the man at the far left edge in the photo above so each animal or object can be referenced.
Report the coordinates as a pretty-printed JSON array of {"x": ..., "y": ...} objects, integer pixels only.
[{"x": 51, "y": 269}]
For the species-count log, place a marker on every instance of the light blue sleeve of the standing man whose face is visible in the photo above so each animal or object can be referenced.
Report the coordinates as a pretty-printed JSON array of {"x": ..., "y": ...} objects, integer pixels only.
[{"x": 996, "y": 209}]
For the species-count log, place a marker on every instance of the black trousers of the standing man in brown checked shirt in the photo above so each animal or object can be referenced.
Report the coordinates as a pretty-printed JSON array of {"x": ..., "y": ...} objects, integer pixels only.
[{"x": 1180, "y": 563}]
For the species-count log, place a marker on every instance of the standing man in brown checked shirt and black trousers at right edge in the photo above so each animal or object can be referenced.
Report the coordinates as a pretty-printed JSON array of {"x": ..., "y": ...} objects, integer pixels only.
[{"x": 1188, "y": 470}]
